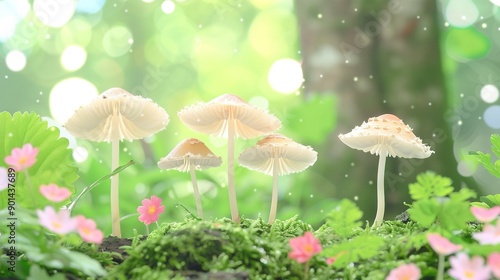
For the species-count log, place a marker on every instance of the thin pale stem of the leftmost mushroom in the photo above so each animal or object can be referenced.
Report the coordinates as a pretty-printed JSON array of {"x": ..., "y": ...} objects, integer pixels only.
[{"x": 115, "y": 208}]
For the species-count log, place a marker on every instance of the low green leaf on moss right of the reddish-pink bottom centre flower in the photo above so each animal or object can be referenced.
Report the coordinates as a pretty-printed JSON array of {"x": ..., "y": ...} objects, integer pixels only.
[{"x": 359, "y": 248}]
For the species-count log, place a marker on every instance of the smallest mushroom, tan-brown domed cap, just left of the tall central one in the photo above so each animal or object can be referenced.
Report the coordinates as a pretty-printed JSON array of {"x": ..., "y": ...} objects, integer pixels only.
[{"x": 189, "y": 155}]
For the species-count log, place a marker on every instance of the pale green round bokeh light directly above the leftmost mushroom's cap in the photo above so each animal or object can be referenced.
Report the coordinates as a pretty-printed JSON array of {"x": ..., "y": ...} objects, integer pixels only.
[{"x": 117, "y": 41}]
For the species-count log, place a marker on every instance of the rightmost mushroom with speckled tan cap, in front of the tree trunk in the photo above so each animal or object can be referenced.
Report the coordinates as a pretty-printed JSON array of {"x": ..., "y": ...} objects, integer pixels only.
[{"x": 385, "y": 135}]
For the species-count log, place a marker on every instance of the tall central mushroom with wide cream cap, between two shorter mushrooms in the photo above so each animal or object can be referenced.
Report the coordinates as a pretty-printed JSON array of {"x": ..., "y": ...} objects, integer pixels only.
[{"x": 229, "y": 116}]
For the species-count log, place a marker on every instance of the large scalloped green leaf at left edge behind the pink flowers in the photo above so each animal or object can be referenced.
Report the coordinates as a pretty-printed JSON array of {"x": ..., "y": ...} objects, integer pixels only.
[{"x": 54, "y": 162}]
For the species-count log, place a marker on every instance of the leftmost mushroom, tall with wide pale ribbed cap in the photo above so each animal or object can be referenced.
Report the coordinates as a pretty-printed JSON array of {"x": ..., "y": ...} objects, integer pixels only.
[{"x": 114, "y": 116}]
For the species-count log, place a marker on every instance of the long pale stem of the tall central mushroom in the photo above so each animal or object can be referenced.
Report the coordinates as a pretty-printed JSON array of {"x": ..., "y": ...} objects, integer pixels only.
[{"x": 230, "y": 171}]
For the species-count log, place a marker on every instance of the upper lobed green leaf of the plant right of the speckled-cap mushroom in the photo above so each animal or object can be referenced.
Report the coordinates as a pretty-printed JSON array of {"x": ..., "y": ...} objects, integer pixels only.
[{"x": 430, "y": 185}]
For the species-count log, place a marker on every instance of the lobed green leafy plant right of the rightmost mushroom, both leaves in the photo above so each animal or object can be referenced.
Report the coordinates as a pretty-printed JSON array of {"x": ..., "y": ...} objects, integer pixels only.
[{"x": 436, "y": 203}]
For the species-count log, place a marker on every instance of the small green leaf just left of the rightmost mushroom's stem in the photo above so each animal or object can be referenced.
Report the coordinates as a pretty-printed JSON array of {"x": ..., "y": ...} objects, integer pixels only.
[{"x": 344, "y": 218}]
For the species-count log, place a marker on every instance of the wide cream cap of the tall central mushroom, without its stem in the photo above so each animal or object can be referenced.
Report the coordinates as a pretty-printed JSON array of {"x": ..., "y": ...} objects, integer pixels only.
[{"x": 213, "y": 117}]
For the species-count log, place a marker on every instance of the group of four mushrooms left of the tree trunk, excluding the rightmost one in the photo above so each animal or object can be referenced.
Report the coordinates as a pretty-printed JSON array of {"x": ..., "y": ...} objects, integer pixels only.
[{"x": 117, "y": 115}]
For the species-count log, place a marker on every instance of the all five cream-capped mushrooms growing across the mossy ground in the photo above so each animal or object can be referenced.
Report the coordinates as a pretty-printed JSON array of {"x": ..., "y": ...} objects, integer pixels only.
[{"x": 117, "y": 115}]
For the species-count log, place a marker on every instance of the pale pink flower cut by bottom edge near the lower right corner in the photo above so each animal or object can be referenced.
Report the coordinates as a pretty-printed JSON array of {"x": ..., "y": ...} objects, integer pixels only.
[{"x": 463, "y": 268}]
